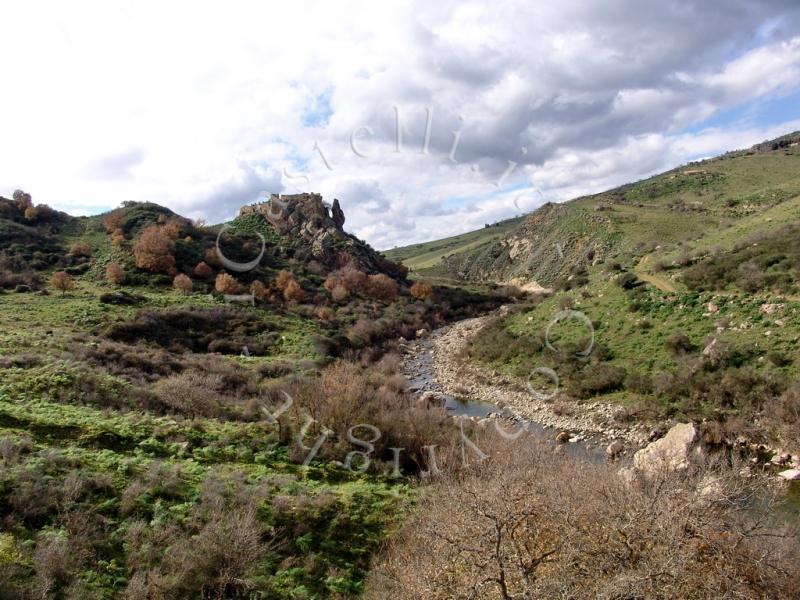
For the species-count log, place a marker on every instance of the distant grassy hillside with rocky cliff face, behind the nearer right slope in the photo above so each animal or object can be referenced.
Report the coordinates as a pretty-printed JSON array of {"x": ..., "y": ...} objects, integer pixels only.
[{"x": 706, "y": 204}]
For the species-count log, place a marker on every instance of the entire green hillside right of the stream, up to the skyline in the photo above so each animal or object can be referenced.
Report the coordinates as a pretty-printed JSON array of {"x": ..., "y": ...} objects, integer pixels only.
[{"x": 688, "y": 284}]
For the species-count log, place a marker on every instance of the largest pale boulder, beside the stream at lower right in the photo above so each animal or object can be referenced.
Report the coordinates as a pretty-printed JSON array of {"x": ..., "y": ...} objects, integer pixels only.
[{"x": 678, "y": 450}]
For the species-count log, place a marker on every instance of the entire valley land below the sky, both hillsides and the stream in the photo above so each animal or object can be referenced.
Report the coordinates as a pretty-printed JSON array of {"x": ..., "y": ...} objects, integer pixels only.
[{"x": 180, "y": 420}]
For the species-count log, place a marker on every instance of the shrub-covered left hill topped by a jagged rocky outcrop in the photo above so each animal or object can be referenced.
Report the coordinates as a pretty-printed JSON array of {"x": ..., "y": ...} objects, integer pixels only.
[{"x": 173, "y": 425}]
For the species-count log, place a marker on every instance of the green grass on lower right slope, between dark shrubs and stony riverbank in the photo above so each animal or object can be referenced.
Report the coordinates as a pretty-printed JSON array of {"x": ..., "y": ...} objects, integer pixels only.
[{"x": 636, "y": 340}]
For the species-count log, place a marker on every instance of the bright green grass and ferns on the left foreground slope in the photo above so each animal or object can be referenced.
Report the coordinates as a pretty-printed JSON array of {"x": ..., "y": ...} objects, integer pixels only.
[{"x": 324, "y": 522}]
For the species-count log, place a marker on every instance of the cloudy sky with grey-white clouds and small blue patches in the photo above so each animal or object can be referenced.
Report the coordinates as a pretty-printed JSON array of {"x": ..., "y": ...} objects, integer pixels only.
[{"x": 424, "y": 119}]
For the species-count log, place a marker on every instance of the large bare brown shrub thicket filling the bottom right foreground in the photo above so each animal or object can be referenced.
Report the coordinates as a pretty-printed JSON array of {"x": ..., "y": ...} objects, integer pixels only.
[{"x": 526, "y": 523}]
